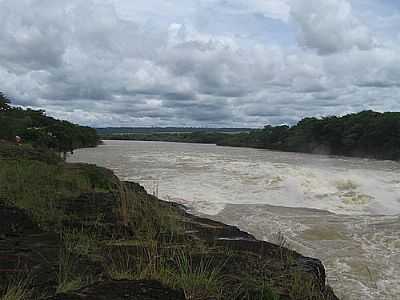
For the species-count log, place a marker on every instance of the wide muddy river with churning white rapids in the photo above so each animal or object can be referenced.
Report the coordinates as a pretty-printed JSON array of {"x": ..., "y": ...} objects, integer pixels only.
[{"x": 344, "y": 211}]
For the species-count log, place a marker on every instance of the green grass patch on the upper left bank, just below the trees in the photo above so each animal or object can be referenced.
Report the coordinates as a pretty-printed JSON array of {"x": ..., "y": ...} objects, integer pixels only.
[{"x": 39, "y": 186}]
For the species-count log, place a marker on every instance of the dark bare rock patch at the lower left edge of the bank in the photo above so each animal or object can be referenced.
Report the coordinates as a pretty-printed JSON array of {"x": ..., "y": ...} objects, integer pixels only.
[{"x": 24, "y": 248}]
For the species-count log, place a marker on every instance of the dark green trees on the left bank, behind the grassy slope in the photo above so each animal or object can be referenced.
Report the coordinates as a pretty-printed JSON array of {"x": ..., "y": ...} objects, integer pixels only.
[{"x": 35, "y": 128}]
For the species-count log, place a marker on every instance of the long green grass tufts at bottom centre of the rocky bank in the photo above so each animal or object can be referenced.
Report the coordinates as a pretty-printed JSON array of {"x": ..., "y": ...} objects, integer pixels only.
[{"x": 200, "y": 279}]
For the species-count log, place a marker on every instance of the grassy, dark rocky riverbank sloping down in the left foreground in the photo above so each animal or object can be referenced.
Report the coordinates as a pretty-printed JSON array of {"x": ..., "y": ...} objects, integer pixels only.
[{"x": 79, "y": 231}]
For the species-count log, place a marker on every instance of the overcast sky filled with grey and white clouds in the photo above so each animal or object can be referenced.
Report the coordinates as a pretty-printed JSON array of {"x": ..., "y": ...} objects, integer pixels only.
[{"x": 200, "y": 62}]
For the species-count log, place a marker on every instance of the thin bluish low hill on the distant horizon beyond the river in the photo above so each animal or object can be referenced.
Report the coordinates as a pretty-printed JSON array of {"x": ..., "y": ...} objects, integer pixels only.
[{"x": 150, "y": 130}]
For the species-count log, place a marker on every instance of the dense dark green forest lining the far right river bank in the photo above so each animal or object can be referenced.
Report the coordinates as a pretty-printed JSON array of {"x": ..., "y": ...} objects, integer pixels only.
[{"x": 366, "y": 134}]
